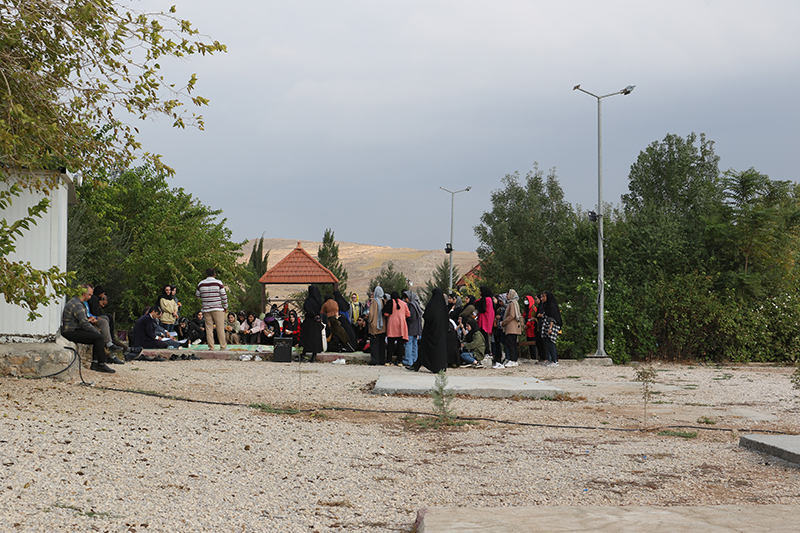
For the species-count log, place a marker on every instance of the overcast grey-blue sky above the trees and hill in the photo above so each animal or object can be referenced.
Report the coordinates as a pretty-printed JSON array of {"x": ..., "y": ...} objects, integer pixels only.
[{"x": 351, "y": 114}]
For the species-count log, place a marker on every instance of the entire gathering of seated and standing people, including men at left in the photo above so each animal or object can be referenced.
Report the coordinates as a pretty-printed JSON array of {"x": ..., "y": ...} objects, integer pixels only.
[{"x": 481, "y": 332}]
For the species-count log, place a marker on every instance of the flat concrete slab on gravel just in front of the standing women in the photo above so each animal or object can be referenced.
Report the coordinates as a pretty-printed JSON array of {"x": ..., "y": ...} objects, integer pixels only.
[{"x": 481, "y": 386}]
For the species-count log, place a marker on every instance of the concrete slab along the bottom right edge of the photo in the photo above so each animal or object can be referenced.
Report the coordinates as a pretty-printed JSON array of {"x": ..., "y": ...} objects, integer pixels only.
[{"x": 706, "y": 519}]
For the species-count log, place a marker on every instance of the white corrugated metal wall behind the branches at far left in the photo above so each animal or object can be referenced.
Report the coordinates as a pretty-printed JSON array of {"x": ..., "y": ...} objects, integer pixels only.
[{"x": 44, "y": 245}]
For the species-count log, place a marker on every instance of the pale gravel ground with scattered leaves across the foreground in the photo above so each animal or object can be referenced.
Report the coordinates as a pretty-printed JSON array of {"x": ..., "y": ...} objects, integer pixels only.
[{"x": 76, "y": 458}]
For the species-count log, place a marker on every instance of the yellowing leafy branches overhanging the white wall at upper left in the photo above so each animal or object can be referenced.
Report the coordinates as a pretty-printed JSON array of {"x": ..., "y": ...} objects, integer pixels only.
[{"x": 68, "y": 71}]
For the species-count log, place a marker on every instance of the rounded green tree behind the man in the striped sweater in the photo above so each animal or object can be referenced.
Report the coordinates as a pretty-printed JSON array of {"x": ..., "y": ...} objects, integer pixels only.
[{"x": 145, "y": 235}]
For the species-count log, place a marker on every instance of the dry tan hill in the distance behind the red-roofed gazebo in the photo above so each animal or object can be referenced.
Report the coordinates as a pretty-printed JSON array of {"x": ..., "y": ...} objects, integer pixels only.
[{"x": 364, "y": 261}]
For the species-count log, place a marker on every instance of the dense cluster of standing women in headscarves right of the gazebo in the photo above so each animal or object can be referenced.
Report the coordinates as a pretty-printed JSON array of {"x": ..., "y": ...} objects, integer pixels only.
[{"x": 395, "y": 330}]
